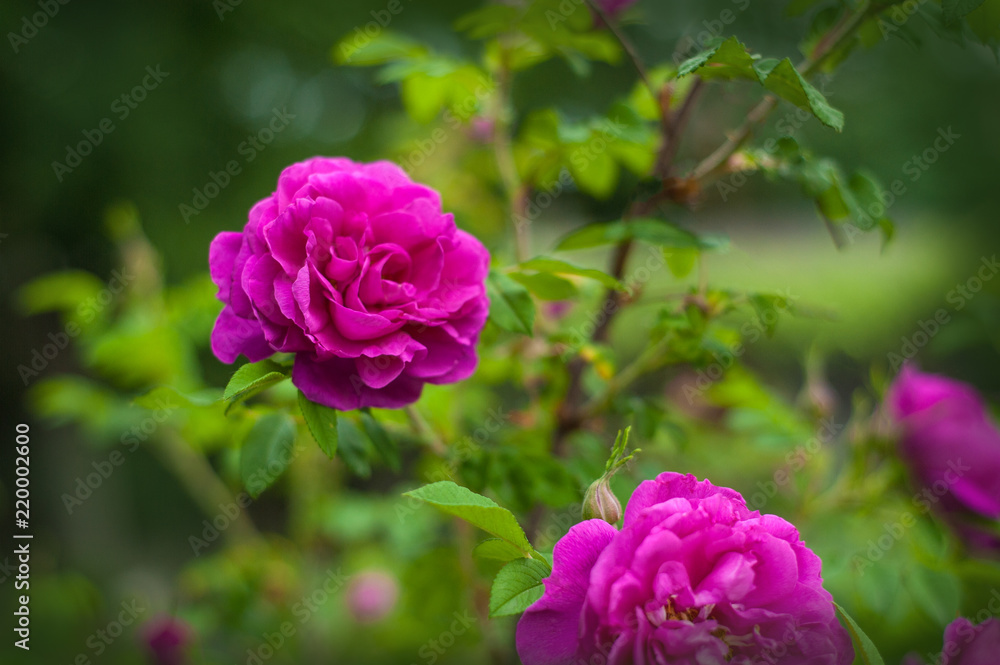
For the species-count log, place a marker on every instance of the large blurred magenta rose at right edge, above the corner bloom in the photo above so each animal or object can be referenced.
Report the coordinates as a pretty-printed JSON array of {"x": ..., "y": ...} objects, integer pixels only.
[{"x": 948, "y": 441}]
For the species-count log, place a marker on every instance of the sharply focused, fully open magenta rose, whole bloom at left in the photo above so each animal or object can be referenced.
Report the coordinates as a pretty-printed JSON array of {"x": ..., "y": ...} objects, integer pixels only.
[{"x": 356, "y": 270}]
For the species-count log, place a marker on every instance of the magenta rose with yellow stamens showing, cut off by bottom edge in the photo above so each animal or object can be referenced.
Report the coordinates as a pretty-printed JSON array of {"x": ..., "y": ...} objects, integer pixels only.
[{"x": 692, "y": 578}]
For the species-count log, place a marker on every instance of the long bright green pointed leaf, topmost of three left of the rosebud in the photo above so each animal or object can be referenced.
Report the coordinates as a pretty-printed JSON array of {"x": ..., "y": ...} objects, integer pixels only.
[{"x": 475, "y": 509}]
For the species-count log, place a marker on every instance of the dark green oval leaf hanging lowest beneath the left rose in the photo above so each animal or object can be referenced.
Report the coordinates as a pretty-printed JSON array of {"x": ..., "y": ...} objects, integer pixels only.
[{"x": 267, "y": 452}]
